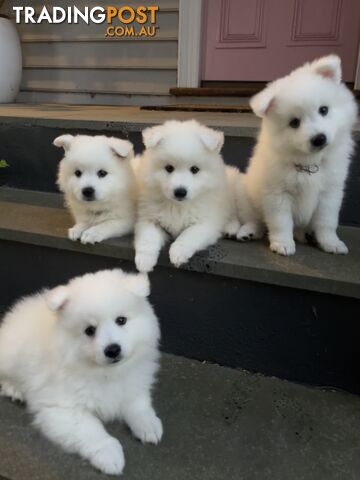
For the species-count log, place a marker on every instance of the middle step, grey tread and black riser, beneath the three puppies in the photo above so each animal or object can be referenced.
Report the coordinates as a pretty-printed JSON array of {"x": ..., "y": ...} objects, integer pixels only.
[{"x": 236, "y": 304}]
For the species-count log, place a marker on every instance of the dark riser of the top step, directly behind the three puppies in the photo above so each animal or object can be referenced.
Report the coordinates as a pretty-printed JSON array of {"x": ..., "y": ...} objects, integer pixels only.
[{"x": 33, "y": 160}]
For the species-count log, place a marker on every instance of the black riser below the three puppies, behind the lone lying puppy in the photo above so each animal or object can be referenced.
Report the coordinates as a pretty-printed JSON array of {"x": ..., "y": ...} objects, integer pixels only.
[{"x": 293, "y": 334}]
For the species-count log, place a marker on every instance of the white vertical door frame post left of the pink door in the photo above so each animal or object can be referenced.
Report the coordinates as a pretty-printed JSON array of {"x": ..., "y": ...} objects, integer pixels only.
[{"x": 190, "y": 43}]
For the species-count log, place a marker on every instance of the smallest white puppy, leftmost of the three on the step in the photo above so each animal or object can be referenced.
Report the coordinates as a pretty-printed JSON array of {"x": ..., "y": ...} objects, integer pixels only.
[{"x": 99, "y": 186}]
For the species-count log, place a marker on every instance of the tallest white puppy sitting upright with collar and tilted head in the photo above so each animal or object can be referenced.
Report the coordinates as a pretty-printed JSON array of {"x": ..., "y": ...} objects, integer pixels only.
[{"x": 295, "y": 180}]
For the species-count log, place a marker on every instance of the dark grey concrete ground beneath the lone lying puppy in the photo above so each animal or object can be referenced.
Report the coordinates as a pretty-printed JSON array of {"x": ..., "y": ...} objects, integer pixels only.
[{"x": 219, "y": 424}]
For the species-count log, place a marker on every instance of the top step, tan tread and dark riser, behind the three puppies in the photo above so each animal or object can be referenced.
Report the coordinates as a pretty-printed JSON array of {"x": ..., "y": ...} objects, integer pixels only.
[{"x": 33, "y": 160}]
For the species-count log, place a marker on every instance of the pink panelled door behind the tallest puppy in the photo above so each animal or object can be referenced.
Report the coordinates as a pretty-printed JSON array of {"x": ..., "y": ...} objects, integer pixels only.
[{"x": 259, "y": 40}]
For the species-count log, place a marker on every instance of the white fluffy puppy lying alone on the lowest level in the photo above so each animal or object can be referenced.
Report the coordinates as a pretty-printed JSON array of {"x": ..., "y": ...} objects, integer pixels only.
[{"x": 84, "y": 353}]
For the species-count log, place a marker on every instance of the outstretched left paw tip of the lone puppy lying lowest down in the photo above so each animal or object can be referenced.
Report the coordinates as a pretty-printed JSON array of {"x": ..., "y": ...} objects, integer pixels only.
[{"x": 109, "y": 458}]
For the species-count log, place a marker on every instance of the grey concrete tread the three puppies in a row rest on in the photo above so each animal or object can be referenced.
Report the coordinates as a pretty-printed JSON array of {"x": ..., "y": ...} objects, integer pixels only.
[{"x": 31, "y": 217}]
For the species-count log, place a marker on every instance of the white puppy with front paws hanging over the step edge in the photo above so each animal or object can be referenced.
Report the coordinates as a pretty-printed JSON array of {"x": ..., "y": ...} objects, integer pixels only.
[{"x": 183, "y": 192}]
